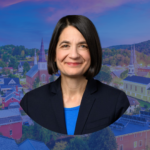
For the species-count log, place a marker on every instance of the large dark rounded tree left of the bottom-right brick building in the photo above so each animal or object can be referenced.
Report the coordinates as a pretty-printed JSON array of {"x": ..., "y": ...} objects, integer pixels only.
[{"x": 102, "y": 140}]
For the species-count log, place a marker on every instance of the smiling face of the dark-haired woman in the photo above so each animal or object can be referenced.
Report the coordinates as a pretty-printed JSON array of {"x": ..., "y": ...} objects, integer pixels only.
[{"x": 72, "y": 48}]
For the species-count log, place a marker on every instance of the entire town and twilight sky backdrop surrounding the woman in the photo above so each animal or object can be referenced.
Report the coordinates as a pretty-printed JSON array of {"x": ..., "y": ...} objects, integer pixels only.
[{"x": 26, "y": 28}]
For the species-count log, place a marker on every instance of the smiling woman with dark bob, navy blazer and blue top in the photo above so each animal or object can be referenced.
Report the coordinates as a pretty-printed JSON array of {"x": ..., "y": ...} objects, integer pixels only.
[{"x": 75, "y": 103}]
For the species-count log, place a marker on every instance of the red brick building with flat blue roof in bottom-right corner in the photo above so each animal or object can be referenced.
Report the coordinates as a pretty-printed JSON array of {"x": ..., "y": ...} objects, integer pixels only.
[{"x": 132, "y": 132}]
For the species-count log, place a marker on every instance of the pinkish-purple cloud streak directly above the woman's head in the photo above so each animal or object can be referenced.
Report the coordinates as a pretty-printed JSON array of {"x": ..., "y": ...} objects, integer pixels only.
[{"x": 87, "y": 6}]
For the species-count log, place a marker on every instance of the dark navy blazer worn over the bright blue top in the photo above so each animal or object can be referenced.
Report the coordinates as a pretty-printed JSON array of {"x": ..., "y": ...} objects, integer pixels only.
[{"x": 101, "y": 105}]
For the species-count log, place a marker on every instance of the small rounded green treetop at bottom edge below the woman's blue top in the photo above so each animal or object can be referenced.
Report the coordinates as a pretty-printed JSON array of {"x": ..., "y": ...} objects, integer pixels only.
[{"x": 76, "y": 144}]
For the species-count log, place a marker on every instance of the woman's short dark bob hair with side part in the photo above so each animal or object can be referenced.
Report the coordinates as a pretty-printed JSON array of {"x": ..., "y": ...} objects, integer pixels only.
[{"x": 88, "y": 30}]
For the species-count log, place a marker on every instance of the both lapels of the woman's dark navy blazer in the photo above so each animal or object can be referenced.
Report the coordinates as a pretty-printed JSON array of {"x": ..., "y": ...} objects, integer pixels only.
[{"x": 85, "y": 106}]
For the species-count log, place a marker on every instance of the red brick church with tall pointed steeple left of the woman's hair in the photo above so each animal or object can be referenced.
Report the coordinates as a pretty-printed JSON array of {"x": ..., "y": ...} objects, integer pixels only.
[{"x": 39, "y": 69}]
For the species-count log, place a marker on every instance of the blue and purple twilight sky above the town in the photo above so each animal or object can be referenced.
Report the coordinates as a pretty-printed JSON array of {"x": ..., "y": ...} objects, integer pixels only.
[{"x": 118, "y": 22}]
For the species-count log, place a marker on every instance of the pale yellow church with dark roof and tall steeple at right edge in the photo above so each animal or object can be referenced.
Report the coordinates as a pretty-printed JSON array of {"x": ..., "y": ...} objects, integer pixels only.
[{"x": 136, "y": 86}]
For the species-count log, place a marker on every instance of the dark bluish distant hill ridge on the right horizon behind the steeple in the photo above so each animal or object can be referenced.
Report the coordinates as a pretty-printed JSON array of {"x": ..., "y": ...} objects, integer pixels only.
[{"x": 140, "y": 47}]
